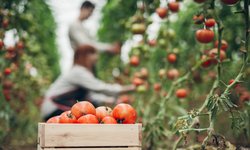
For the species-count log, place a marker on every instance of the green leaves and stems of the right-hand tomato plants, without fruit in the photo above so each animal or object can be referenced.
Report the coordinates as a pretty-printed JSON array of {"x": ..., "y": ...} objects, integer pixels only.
[{"x": 161, "y": 113}]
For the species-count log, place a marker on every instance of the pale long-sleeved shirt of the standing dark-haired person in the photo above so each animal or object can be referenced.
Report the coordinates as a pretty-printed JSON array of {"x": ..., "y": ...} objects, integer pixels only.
[{"x": 78, "y": 36}]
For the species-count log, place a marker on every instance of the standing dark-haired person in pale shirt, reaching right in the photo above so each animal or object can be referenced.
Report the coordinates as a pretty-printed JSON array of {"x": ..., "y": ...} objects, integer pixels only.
[{"x": 79, "y": 35}]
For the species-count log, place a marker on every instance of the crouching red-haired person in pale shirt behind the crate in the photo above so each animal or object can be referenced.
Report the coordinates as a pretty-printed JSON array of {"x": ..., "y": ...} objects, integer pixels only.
[{"x": 80, "y": 84}]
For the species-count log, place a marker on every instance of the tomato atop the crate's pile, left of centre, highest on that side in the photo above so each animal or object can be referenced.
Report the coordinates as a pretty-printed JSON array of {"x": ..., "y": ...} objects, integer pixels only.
[{"x": 83, "y": 108}]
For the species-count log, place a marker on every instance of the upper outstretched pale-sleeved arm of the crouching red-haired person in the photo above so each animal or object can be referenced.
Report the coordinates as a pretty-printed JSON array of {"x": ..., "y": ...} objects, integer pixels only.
[{"x": 84, "y": 78}]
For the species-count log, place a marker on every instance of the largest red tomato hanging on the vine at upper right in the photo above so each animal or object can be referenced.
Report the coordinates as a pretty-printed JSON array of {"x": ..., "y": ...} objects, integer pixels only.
[{"x": 204, "y": 35}]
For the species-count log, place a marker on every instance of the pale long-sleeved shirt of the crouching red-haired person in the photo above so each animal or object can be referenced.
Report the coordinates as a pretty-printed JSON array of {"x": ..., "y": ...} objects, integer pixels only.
[{"x": 77, "y": 77}]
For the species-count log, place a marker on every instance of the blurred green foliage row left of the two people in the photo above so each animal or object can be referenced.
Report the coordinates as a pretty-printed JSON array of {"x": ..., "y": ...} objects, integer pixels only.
[{"x": 35, "y": 27}]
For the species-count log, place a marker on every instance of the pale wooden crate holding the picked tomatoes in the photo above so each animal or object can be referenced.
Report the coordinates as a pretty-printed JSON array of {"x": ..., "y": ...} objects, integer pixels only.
[{"x": 89, "y": 136}]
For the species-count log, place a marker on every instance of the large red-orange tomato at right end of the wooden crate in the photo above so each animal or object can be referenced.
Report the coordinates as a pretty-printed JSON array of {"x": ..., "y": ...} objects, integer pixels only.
[{"x": 124, "y": 113}]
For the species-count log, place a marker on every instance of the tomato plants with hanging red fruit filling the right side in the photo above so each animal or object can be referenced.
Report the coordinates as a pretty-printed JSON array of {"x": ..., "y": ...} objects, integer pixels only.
[{"x": 207, "y": 44}]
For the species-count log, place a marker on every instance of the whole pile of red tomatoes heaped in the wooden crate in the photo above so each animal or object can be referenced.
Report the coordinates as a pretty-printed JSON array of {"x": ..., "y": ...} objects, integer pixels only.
[{"x": 84, "y": 112}]
